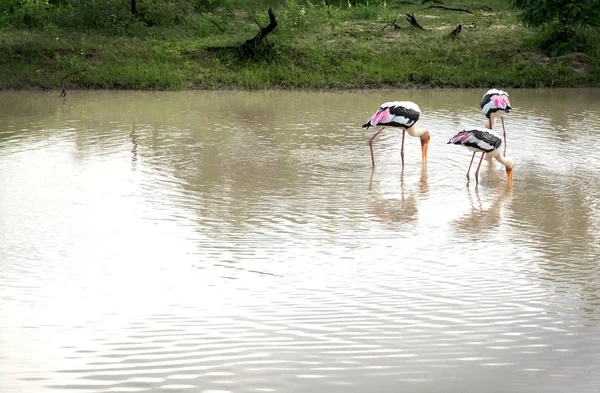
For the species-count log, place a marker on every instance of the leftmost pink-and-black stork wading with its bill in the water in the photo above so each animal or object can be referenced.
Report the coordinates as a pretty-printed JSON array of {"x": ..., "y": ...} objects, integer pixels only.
[{"x": 399, "y": 114}]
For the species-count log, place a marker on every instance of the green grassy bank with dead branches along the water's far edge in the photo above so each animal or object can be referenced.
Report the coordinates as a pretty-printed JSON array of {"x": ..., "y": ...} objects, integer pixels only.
[{"x": 315, "y": 47}]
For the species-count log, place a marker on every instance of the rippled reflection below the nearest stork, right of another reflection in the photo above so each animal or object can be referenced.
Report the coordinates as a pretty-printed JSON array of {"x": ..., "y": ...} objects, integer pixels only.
[{"x": 480, "y": 220}]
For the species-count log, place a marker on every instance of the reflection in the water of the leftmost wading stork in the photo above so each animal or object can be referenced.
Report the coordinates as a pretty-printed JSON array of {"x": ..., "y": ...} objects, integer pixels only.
[{"x": 403, "y": 209}]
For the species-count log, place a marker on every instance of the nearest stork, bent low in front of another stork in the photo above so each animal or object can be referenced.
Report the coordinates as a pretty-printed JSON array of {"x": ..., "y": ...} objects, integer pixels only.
[{"x": 485, "y": 141}]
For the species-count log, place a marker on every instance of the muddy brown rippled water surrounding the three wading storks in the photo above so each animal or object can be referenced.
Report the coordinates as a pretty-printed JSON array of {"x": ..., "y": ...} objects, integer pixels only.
[{"x": 238, "y": 242}]
